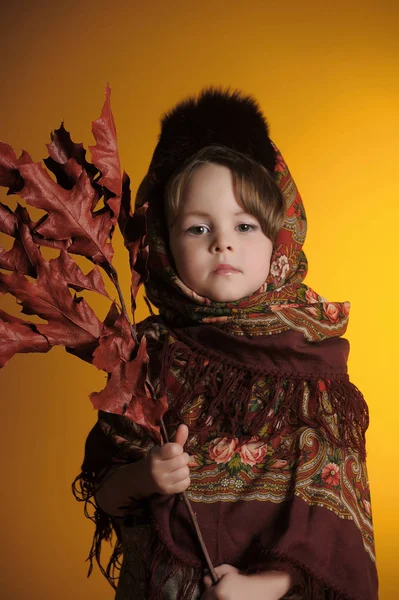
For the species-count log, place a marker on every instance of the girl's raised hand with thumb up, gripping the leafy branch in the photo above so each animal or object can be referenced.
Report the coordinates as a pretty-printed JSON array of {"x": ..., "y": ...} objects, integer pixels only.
[{"x": 165, "y": 469}]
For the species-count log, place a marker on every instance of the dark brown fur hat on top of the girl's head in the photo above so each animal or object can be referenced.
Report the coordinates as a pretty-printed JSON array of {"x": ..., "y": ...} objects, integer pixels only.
[{"x": 216, "y": 117}]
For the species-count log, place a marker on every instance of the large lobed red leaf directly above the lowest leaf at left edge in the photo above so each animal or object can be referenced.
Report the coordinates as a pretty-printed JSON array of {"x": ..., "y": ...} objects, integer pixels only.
[{"x": 71, "y": 322}]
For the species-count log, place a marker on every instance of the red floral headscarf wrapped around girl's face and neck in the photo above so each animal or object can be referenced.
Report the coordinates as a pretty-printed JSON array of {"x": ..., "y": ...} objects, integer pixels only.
[{"x": 282, "y": 303}]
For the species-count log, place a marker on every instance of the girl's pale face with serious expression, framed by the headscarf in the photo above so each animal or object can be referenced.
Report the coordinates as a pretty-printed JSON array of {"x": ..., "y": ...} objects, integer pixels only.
[{"x": 220, "y": 251}]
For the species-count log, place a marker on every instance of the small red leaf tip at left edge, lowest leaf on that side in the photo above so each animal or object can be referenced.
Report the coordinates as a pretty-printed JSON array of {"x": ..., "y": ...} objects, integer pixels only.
[{"x": 19, "y": 336}]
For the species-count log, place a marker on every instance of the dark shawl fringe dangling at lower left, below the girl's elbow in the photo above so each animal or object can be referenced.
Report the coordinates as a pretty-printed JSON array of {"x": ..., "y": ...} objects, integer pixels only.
[{"x": 83, "y": 489}]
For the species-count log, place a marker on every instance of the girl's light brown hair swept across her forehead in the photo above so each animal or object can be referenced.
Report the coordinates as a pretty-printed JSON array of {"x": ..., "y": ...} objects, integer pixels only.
[{"x": 256, "y": 190}]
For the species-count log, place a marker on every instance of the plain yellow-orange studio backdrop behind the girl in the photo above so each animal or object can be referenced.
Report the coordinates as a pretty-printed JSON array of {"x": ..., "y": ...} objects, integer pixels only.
[{"x": 326, "y": 76}]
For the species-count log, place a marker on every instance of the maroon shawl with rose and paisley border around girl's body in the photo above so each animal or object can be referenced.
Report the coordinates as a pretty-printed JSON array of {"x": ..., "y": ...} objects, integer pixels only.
[{"x": 278, "y": 478}]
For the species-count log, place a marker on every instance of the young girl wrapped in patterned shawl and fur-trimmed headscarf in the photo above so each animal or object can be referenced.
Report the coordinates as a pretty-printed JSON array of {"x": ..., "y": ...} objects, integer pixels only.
[{"x": 268, "y": 430}]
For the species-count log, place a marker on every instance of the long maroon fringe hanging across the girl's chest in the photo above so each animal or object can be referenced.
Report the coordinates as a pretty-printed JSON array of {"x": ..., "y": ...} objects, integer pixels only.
[{"x": 239, "y": 394}]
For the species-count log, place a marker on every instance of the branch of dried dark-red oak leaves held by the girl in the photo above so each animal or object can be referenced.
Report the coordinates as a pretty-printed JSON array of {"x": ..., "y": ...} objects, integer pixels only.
[{"x": 82, "y": 208}]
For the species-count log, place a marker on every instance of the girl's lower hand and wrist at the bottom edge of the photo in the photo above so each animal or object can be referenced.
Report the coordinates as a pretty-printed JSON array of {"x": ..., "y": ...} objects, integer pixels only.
[{"x": 268, "y": 585}]
